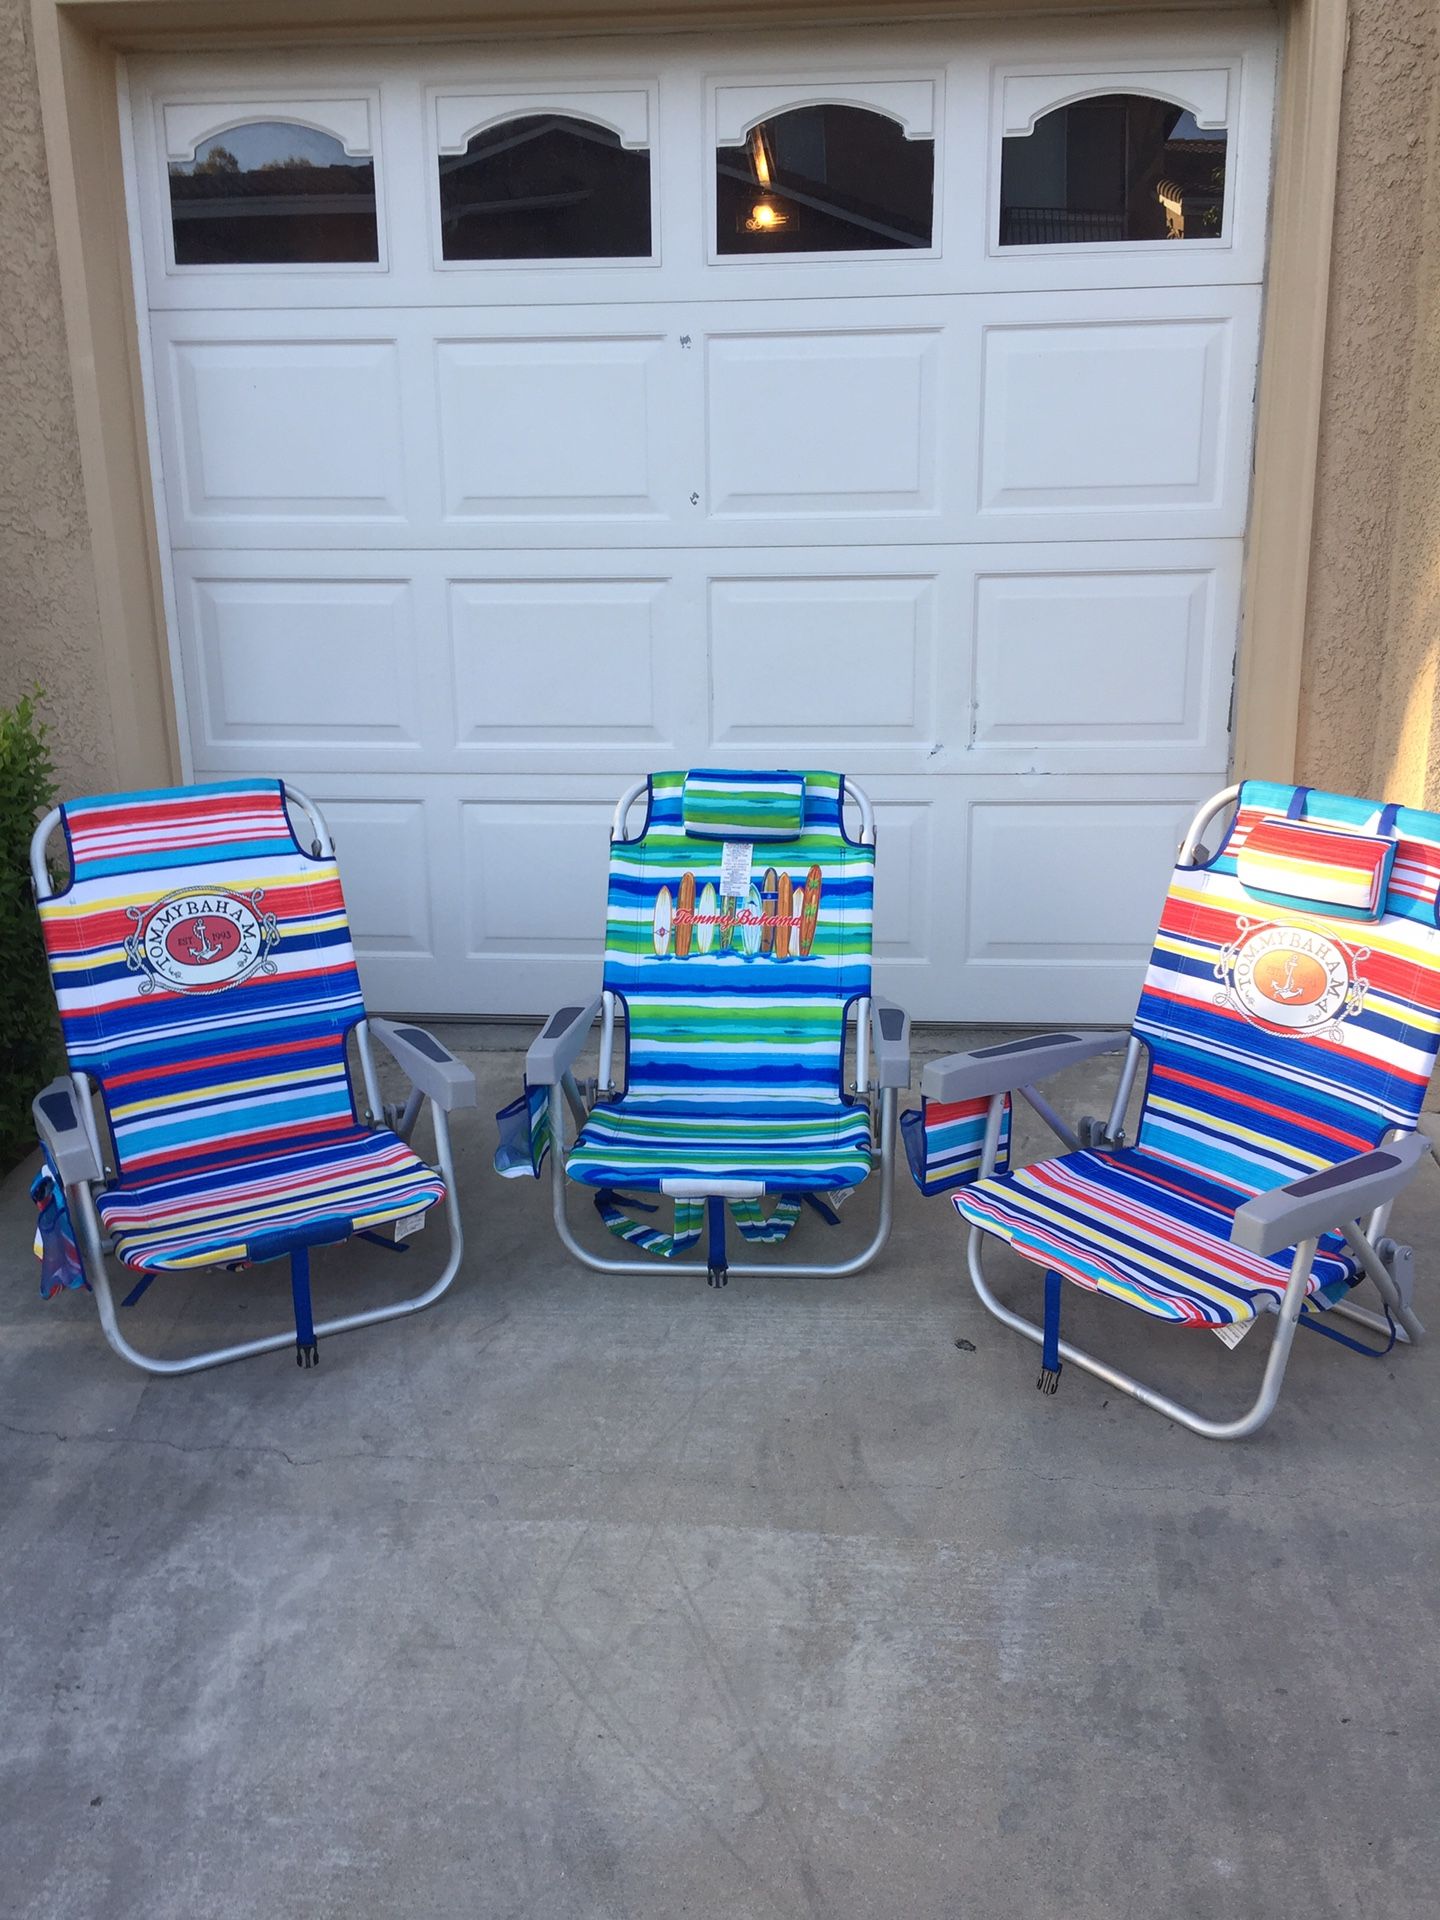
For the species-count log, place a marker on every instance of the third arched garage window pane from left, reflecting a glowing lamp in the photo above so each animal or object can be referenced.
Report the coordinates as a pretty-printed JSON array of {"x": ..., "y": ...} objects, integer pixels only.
[{"x": 825, "y": 181}]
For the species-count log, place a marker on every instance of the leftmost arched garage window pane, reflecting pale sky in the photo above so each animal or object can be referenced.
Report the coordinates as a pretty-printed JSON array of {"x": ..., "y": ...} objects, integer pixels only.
[{"x": 270, "y": 195}]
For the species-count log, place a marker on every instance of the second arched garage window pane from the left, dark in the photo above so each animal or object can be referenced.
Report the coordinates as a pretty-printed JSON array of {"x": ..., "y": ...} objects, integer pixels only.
[{"x": 546, "y": 187}]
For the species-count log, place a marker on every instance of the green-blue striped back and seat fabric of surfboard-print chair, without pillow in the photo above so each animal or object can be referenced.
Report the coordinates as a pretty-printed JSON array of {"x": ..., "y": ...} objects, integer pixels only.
[{"x": 736, "y": 1005}]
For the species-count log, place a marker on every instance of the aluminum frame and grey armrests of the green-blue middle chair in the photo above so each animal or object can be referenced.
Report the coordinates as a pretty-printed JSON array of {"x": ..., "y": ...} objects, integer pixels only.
[{"x": 882, "y": 1032}]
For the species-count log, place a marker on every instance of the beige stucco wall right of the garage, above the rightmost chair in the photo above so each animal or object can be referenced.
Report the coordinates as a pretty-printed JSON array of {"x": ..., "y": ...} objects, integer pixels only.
[{"x": 1370, "y": 717}]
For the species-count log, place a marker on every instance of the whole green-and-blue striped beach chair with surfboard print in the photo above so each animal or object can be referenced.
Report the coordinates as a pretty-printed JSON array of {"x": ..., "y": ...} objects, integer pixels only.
[{"x": 736, "y": 980}]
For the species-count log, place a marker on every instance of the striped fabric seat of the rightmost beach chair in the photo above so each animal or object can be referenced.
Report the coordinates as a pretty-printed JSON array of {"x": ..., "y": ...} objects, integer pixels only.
[{"x": 1145, "y": 1232}]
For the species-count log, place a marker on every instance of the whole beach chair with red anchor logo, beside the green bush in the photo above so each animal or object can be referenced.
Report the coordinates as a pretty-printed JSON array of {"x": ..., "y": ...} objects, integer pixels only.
[{"x": 208, "y": 996}]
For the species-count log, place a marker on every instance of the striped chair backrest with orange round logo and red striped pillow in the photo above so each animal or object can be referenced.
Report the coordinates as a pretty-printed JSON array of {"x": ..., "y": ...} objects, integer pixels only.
[{"x": 1293, "y": 997}]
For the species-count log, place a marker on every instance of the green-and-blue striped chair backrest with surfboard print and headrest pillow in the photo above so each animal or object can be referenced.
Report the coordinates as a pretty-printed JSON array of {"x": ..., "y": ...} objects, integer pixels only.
[{"x": 738, "y": 934}]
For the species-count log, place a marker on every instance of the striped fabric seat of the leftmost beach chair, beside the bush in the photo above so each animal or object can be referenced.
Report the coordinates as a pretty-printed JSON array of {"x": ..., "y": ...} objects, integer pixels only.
[{"x": 231, "y": 1214}]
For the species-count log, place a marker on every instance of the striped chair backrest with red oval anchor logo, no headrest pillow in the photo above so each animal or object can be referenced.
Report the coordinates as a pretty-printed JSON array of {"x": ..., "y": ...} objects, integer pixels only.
[{"x": 204, "y": 974}]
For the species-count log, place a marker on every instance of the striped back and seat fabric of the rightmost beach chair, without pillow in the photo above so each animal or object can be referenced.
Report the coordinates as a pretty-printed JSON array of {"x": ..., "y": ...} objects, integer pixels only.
[{"x": 1282, "y": 1040}]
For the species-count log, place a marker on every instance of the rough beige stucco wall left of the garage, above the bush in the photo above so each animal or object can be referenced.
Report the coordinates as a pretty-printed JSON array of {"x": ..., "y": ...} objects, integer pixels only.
[{"x": 49, "y": 629}]
